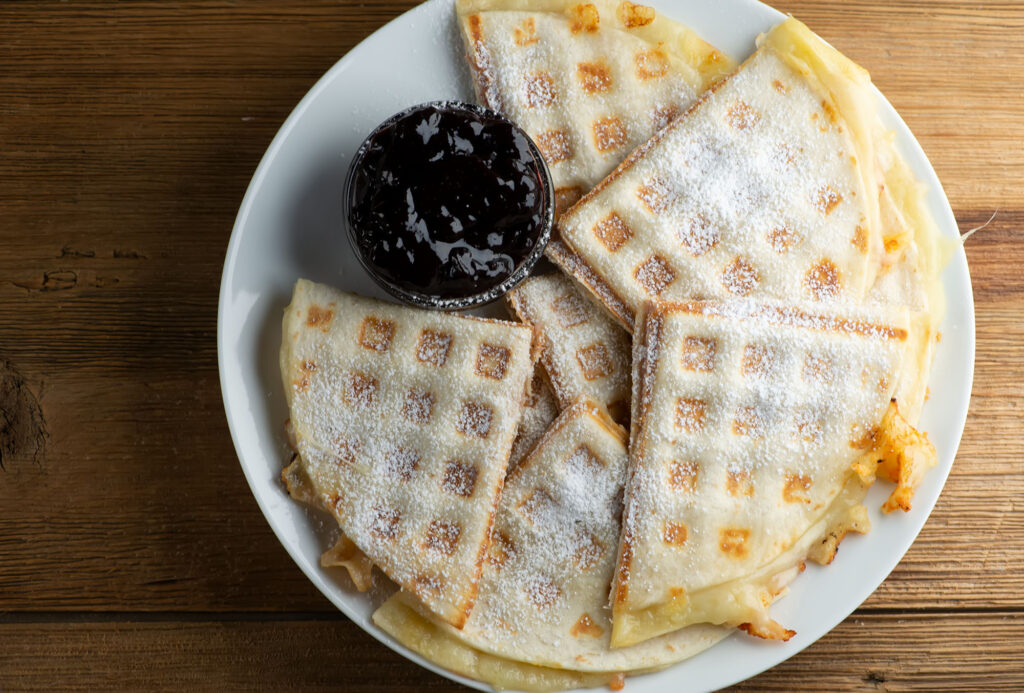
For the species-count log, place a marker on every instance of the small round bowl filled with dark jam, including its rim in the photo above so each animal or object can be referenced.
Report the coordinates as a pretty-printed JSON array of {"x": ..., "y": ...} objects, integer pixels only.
[{"x": 407, "y": 233}]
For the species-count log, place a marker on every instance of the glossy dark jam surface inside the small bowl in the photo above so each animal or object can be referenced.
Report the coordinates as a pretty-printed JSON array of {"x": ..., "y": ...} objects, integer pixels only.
[{"x": 447, "y": 202}]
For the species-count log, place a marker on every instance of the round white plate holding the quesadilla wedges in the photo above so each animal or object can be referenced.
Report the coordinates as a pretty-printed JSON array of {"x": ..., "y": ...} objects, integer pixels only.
[{"x": 290, "y": 226}]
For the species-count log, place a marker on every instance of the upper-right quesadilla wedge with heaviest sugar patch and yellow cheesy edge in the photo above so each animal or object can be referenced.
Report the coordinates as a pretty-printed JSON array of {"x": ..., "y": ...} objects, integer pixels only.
[{"x": 772, "y": 187}]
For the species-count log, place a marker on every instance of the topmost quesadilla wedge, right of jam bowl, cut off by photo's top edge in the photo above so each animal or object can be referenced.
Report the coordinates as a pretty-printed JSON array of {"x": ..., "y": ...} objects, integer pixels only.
[{"x": 588, "y": 81}]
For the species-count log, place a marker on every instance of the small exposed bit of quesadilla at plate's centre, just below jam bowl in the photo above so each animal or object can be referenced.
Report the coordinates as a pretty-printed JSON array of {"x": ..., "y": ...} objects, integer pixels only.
[{"x": 585, "y": 353}]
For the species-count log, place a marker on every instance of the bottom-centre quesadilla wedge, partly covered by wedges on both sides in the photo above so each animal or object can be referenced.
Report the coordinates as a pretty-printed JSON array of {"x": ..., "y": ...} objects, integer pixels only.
[{"x": 543, "y": 598}]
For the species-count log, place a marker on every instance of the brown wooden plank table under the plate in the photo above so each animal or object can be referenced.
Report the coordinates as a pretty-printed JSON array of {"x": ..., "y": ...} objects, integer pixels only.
[{"x": 133, "y": 555}]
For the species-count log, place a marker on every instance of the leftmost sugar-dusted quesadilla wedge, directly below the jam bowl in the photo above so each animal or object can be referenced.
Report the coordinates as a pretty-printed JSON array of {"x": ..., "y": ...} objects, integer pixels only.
[{"x": 403, "y": 421}]
